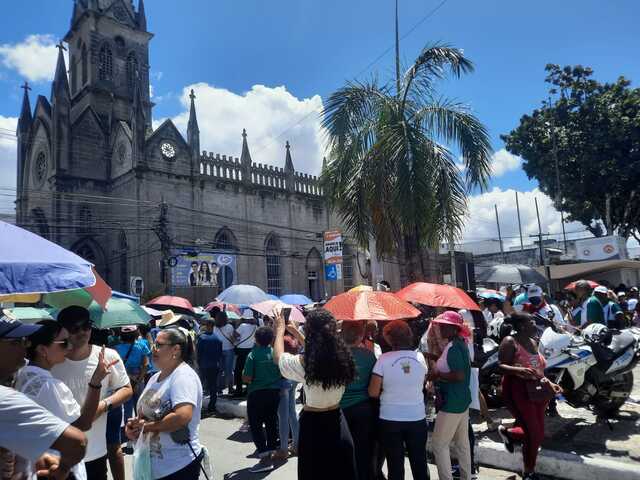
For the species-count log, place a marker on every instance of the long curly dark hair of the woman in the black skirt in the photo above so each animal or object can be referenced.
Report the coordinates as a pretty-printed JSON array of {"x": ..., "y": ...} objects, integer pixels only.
[{"x": 327, "y": 360}]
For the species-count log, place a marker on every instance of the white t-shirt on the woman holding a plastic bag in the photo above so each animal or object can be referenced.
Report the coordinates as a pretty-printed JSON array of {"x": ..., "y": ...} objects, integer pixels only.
[{"x": 160, "y": 398}]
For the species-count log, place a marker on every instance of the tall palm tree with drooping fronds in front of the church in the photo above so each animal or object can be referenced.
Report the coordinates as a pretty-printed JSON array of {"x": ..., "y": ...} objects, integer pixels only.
[{"x": 390, "y": 172}]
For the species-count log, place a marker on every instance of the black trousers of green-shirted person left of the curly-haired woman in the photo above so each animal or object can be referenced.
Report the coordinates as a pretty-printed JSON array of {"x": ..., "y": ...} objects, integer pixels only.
[{"x": 262, "y": 410}]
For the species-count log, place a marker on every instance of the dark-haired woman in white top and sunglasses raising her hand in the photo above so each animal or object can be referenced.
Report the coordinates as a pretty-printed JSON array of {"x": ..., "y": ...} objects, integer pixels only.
[{"x": 47, "y": 348}]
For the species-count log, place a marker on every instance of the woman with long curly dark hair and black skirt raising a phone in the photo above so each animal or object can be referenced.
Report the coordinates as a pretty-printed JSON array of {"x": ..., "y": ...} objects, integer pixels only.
[{"x": 325, "y": 449}]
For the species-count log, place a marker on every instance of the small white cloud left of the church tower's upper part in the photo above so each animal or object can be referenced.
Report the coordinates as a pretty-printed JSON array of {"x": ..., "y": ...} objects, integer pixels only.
[{"x": 34, "y": 58}]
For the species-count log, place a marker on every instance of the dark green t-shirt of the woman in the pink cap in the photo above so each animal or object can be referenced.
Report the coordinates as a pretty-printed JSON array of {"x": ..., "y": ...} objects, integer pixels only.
[{"x": 457, "y": 396}]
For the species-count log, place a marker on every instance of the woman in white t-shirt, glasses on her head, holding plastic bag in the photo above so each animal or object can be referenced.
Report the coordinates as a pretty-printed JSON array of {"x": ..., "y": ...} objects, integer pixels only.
[{"x": 169, "y": 410}]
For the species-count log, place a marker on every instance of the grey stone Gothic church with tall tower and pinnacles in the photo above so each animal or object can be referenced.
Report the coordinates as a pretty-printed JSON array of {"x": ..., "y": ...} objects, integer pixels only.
[{"x": 147, "y": 206}]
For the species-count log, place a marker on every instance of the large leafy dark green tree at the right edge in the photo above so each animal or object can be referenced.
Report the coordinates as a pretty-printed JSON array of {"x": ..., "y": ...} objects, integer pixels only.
[{"x": 592, "y": 129}]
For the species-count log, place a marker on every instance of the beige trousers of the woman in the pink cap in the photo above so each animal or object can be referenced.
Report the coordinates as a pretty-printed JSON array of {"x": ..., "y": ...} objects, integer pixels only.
[{"x": 452, "y": 430}]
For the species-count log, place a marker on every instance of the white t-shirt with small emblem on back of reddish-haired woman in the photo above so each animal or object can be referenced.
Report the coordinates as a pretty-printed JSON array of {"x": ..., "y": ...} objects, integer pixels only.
[{"x": 403, "y": 373}]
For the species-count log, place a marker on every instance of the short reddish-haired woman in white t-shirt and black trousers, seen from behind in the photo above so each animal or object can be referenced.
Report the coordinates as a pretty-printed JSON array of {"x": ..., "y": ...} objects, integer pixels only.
[{"x": 398, "y": 380}]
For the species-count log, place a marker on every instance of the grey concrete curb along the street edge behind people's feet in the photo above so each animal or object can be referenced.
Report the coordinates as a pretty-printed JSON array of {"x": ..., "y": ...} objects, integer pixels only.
[{"x": 492, "y": 454}]
